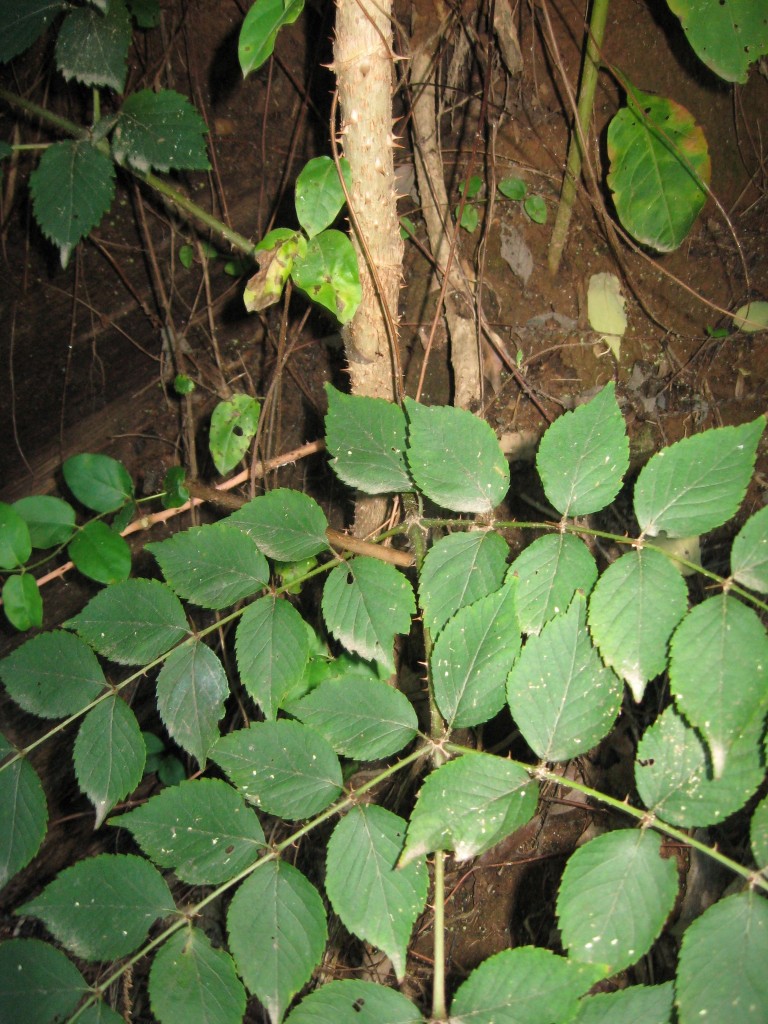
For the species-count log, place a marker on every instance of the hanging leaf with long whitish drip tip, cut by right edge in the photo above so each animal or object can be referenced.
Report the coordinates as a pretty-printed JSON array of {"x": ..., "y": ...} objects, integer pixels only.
[{"x": 719, "y": 672}]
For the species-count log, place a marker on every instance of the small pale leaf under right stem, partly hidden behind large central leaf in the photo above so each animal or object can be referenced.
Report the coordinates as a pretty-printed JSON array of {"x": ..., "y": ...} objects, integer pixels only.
[{"x": 550, "y": 571}]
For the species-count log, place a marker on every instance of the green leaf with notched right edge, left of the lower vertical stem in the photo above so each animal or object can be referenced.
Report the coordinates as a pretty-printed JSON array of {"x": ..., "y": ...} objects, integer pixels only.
[{"x": 375, "y": 900}]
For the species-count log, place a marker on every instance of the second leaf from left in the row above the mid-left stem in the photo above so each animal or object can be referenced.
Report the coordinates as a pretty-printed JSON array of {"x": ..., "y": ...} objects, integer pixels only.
[{"x": 133, "y": 622}]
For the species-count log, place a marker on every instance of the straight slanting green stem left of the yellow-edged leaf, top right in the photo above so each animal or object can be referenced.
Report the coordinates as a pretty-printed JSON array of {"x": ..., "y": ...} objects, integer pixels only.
[{"x": 577, "y": 149}]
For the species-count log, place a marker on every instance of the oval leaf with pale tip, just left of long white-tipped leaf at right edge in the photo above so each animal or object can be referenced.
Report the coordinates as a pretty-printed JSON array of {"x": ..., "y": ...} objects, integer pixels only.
[{"x": 634, "y": 609}]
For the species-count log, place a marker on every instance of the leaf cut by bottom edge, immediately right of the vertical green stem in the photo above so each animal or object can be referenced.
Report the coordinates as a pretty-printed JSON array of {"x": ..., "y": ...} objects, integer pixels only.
[{"x": 523, "y": 987}]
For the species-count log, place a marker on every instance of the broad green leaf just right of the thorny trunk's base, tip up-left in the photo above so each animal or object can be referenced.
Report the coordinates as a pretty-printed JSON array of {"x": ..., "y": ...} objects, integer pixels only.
[{"x": 455, "y": 458}]
